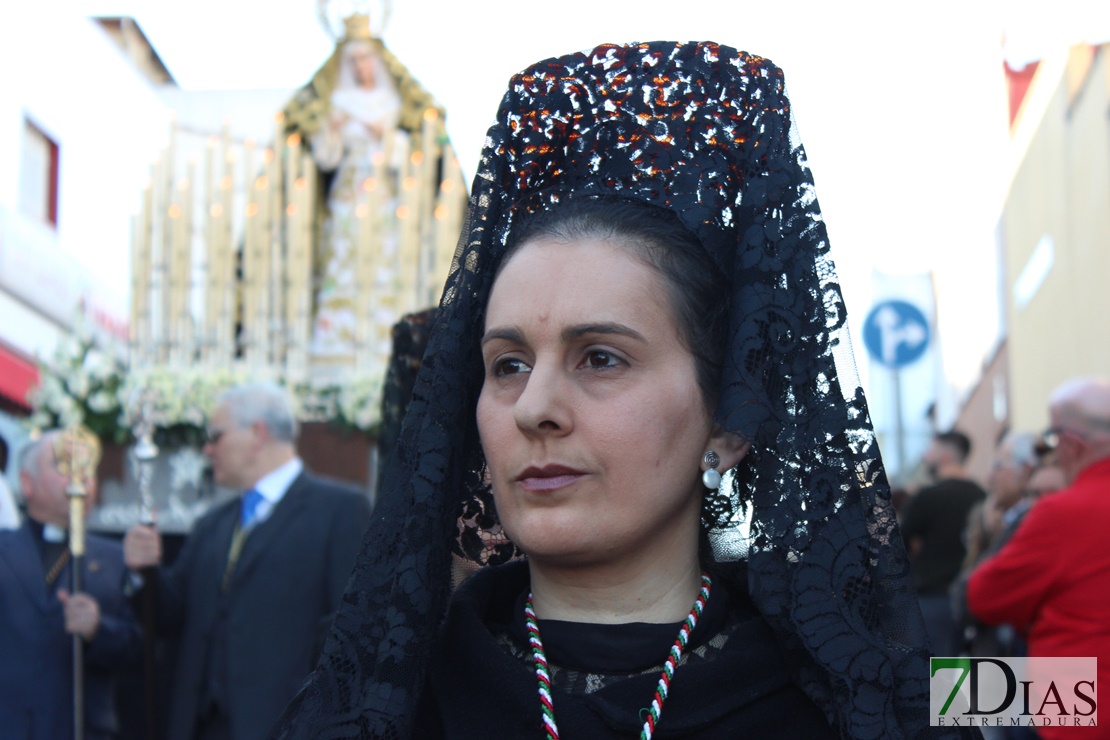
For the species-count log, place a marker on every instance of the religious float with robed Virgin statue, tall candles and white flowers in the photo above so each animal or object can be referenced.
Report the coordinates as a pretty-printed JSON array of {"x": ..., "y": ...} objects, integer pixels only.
[{"x": 291, "y": 260}]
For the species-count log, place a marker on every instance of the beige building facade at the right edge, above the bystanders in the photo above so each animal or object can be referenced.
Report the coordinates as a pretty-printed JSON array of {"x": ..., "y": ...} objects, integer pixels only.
[{"x": 1056, "y": 226}]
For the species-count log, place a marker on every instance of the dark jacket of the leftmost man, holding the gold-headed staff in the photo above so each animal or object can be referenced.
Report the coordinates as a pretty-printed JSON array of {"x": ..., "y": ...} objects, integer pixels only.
[{"x": 37, "y": 654}]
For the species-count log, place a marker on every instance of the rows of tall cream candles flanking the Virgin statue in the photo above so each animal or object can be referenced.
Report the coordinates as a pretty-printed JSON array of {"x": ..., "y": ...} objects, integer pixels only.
[{"x": 251, "y": 235}]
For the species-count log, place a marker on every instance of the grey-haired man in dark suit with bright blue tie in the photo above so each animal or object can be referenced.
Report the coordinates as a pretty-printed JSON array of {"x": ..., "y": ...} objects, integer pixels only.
[{"x": 257, "y": 582}]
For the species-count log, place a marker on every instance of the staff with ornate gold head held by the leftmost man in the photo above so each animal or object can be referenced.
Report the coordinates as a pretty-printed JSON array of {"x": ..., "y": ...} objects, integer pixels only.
[{"x": 78, "y": 452}]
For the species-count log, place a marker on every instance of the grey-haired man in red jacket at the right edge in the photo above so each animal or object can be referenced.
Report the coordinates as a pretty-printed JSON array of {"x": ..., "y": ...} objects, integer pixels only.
[{"x": 1053, "y": 580}]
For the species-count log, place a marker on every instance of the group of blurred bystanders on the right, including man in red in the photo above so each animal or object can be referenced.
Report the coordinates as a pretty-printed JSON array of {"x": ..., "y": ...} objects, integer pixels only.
[{"x": 1017, "y": 570}]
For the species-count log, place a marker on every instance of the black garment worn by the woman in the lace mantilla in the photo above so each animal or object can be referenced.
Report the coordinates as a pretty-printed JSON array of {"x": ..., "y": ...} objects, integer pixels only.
[{"x": 733, "y": 684}]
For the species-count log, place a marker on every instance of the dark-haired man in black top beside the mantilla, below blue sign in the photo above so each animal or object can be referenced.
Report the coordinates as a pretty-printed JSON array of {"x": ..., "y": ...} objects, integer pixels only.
[{"x": 933, "y": 526}]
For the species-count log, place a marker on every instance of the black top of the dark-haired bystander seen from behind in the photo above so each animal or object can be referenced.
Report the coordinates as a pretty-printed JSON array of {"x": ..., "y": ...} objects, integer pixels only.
[{"x": 939, "y": 515}]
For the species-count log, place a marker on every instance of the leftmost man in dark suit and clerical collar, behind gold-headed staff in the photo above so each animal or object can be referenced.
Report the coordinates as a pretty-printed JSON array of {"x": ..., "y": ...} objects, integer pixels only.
[{"x": 39, "y": 616}]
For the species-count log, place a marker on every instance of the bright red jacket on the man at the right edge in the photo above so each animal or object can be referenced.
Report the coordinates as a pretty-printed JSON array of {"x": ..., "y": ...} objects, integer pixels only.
[{"x": 1053, "y": 582}]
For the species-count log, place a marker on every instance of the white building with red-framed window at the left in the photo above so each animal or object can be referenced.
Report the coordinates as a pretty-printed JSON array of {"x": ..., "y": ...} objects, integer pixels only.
[{"x": 79, "y": 125}]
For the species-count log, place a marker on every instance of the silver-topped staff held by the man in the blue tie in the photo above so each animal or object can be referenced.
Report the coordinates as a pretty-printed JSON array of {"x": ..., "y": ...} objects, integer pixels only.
[{"x": 144, "y": 454}]
